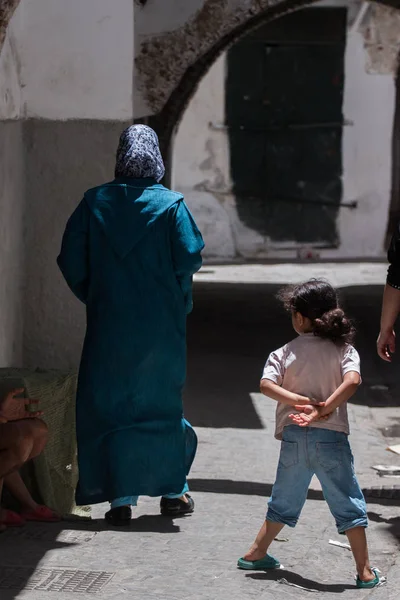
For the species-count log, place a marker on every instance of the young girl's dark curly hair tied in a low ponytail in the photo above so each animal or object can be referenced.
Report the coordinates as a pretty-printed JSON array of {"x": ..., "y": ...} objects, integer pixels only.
[{"x": 318, "y": 300}]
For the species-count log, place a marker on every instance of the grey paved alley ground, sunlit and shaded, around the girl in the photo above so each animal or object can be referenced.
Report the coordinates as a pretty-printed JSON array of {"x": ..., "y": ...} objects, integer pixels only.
[{"x": 232, "y": 330}]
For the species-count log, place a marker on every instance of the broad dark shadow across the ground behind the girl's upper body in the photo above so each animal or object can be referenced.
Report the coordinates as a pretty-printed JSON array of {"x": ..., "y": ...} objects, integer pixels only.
[{"x": 233, "y": 329}]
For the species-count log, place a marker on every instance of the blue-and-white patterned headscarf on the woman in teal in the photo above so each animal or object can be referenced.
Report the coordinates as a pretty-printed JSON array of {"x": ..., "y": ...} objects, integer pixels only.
[{"x": 138, "y": 154}]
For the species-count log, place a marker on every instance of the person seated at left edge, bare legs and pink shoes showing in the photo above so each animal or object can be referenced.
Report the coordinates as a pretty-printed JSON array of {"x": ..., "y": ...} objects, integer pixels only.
[{"x": 23, "y": 436}]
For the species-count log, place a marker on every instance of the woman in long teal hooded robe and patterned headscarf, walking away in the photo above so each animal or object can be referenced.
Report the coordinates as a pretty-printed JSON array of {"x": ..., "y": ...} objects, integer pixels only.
[{"x": 128, "y": 253}]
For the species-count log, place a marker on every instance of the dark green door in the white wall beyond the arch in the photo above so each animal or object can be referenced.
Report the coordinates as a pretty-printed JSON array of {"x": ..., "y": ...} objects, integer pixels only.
[{"x": 284, "y": 116}]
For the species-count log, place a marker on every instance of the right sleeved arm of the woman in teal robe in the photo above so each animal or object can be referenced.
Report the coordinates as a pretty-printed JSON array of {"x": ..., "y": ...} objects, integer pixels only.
[{"x": 186, "y": 246}]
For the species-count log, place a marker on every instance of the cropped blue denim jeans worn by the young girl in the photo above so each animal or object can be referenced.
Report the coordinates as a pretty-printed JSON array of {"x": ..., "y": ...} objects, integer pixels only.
[{"x": 306, "y": 451}]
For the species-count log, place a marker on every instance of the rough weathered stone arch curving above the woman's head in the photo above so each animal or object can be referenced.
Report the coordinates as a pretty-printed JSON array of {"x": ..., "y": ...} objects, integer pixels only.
[{"x": 170, "y": 67}]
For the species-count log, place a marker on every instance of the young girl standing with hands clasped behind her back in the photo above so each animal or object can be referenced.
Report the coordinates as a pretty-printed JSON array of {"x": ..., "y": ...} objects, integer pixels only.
[{"x": 315, "y": 375}]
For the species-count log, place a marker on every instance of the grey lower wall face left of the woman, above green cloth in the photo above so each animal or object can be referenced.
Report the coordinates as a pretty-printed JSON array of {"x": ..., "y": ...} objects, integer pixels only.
[{"x": 65, "y": 159}]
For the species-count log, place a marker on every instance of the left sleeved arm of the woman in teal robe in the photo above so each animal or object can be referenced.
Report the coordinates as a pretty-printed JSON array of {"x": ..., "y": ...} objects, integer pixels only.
[{"x": 73, "y": 258}]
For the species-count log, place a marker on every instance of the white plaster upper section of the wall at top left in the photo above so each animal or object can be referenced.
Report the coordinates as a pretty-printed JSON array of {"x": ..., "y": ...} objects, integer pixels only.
[{"x": 76, "y": 58}]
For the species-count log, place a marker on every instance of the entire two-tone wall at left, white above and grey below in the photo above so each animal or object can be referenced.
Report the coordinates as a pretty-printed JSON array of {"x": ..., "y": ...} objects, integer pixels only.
[{"x": 71, "y": 65}]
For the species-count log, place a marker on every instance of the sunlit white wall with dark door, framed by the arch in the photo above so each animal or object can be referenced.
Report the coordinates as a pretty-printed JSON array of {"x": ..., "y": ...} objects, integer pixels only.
[{"x": 285, "y": 147}]
